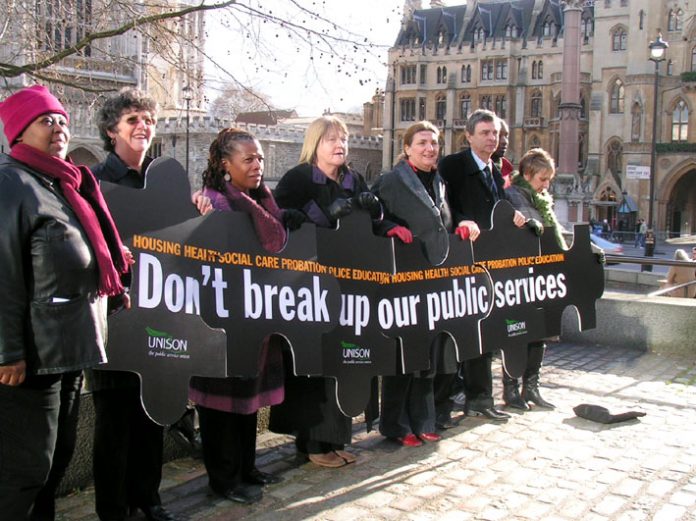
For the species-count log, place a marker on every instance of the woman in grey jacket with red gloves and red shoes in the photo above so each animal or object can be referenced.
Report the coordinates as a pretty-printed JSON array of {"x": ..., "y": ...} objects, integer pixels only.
[{"x": 415, "y": 205}]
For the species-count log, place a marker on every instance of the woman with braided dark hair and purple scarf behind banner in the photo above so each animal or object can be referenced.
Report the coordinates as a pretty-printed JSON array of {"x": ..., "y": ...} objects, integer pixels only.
[{"x": 227, "y": 407}]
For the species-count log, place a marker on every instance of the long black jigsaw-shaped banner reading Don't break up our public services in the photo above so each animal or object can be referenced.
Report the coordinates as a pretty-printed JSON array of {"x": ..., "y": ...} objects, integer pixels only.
[{"x": 350, "y": 305}]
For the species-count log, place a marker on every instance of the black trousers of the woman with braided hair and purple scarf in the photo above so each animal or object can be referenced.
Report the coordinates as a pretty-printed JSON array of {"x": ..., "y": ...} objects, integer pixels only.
[{"x": 229, "y": 447}]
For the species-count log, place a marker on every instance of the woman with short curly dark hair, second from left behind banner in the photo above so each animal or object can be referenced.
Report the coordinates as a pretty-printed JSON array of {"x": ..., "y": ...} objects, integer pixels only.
[{"x": 128, "y": 445}]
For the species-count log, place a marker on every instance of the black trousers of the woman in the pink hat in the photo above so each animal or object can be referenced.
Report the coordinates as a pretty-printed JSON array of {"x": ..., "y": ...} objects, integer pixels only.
[{"x": 29, "y": 426}]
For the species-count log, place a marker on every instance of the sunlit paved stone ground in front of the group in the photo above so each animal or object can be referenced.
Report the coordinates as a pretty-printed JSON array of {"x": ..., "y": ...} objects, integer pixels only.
[{"x": 541, "y": 465}]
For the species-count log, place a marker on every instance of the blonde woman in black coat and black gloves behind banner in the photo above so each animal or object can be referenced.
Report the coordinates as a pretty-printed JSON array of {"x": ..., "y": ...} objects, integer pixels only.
[{"x": 323, "y": 189}]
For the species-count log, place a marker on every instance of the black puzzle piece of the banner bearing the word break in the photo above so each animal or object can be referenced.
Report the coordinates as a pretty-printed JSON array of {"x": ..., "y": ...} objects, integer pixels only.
[{"x": 262, "y": 296}]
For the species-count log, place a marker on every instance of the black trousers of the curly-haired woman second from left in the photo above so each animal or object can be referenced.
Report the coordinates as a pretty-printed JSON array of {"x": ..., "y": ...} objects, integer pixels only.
[{"x": 127, "y": 460}]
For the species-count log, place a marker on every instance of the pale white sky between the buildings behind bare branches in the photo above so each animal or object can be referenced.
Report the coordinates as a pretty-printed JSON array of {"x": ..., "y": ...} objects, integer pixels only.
[{"x": 295, "y": 71}]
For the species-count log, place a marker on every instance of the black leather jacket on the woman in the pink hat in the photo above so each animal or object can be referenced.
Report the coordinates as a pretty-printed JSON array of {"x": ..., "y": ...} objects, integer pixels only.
[{"x": 50, "y": 314}]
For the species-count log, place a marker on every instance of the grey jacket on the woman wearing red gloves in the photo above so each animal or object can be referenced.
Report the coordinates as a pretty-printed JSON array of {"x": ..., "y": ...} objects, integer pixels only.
[{"x": 407, "y": 203}]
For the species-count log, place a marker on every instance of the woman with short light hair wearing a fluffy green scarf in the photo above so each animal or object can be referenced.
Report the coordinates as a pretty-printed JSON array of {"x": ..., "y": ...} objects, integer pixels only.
[{"x": 529, "y": 194}]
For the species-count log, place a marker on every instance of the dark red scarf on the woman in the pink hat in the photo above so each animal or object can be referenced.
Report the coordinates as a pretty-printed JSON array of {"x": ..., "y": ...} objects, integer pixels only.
[{"x": 82, "y": 192}]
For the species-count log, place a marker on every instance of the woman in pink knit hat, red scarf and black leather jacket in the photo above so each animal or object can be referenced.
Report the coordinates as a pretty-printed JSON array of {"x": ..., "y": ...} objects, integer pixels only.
[{"x": 60, "y": 255}]
